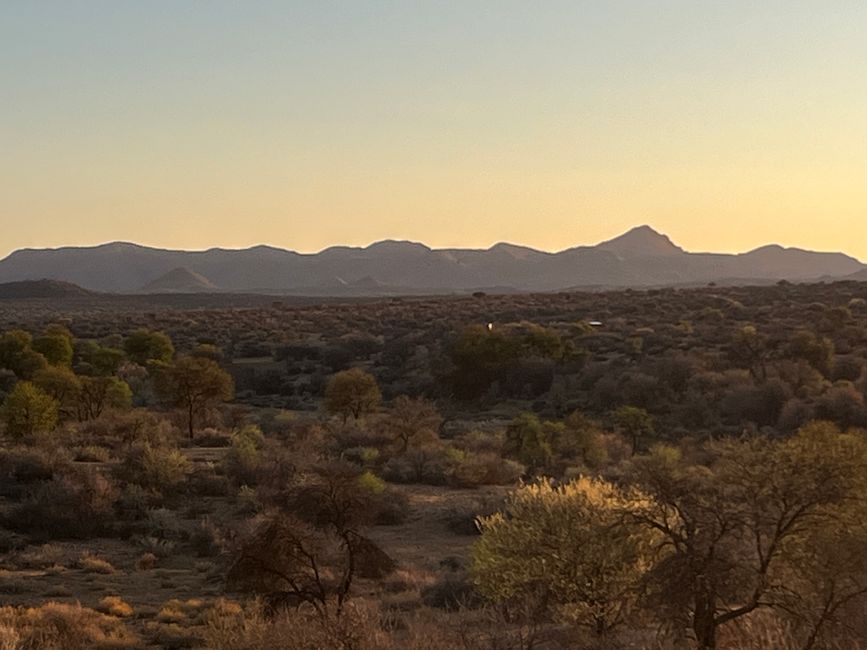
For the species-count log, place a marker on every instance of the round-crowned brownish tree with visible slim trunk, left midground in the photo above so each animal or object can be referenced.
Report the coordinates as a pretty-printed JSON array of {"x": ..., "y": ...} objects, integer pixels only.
[{"x": 194, "y": 384}]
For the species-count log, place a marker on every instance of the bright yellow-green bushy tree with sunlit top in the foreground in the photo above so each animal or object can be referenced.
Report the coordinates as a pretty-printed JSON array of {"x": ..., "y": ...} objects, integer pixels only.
[{"x": 568, "y": 548}]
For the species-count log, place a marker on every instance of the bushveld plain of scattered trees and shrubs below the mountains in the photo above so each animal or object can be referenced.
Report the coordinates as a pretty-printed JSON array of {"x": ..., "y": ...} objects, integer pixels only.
[{"x": 658, "y": 469}]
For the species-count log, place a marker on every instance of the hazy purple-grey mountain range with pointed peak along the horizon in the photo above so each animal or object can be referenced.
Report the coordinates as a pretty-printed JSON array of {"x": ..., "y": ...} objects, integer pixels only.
[{"x": 641, "y": 257}]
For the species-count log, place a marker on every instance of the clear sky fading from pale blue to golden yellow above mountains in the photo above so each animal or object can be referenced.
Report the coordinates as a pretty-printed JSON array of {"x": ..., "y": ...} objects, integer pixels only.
[{"x": 189, "y": 124}]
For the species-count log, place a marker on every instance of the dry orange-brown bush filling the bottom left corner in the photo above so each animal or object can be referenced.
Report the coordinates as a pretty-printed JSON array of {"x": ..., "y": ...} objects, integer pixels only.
[{"x": 57, "y": 626}]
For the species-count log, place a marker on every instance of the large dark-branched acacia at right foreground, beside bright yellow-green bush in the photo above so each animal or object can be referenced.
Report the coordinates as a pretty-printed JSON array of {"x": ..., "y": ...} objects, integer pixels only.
[{"x": 731, "y": 528}]
